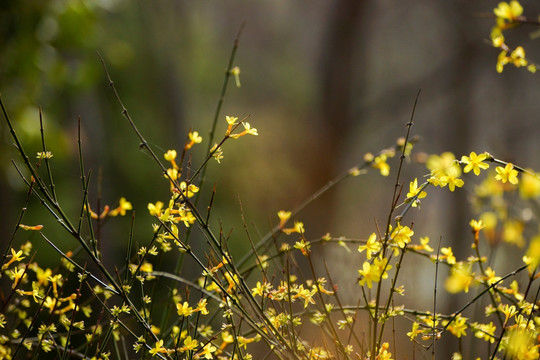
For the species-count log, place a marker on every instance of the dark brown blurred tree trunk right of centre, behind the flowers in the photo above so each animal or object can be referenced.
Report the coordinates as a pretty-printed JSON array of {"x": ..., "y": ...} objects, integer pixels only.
[{"x": 334, "y": 122}]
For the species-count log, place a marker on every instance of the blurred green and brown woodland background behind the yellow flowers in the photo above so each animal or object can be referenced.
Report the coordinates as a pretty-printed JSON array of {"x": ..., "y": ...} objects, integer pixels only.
[{"x": 324, "y": 82}]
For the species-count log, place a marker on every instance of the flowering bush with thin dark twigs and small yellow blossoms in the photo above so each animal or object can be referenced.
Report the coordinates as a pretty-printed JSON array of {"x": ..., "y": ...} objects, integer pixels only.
[{"x": 214, "y": 306}]
